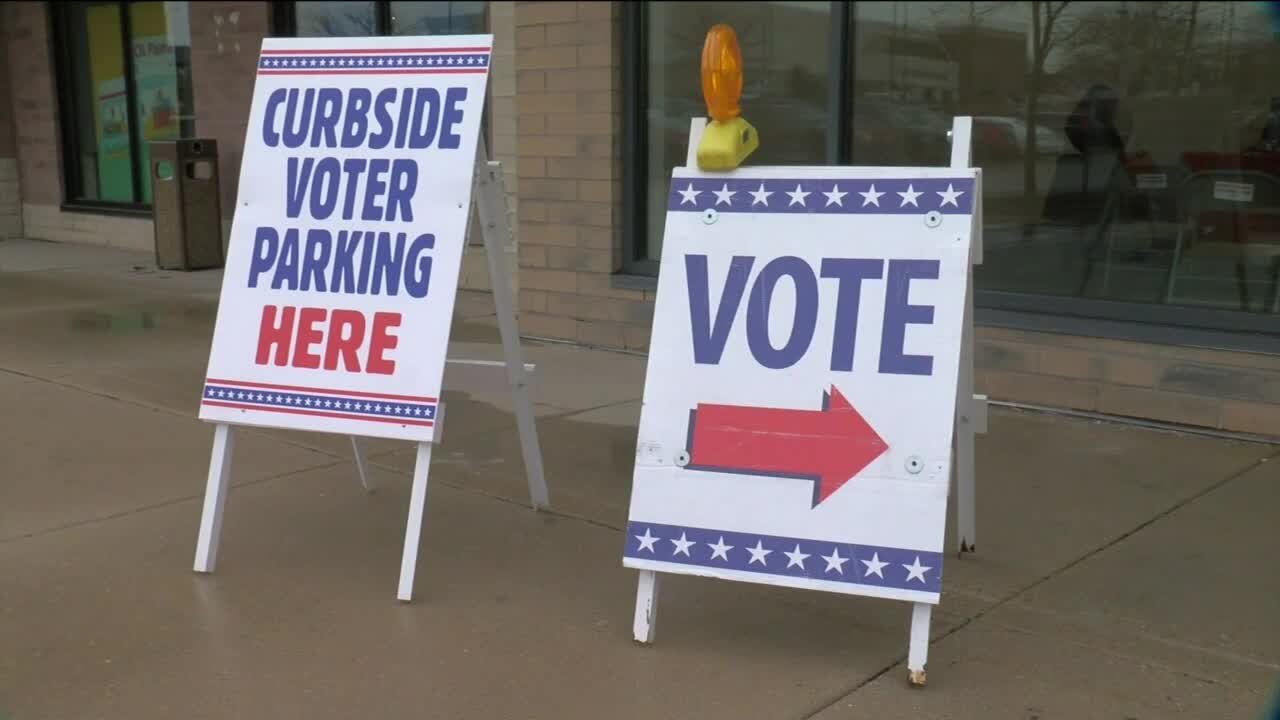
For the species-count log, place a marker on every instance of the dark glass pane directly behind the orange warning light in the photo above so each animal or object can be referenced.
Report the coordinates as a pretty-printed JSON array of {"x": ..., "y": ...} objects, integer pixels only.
[{"x": 787, "y": 56}]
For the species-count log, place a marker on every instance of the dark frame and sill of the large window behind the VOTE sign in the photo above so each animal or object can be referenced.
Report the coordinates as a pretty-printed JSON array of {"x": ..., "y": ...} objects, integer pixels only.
[{"x": 1174, "y": 325}]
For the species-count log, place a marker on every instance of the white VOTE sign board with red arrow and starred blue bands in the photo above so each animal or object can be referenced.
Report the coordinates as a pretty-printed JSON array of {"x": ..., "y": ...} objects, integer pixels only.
[{"x": 802, "y": 384}]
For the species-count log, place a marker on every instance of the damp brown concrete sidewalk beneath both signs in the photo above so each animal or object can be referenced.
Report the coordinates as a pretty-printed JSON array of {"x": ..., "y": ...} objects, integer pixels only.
[{"x": 1122, "y": 573}]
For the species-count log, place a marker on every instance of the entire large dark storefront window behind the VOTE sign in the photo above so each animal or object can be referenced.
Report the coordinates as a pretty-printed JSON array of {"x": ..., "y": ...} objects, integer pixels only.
[{"x": 1131, "y": 152}]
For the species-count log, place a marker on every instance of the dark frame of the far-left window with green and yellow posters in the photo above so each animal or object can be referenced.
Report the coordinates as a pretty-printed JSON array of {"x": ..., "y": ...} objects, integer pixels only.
[{"x": 60, "y": 17}]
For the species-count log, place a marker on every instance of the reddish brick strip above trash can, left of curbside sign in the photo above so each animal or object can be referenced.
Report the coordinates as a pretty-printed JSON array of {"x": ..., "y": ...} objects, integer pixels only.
[{"x": 226, "y": 39}]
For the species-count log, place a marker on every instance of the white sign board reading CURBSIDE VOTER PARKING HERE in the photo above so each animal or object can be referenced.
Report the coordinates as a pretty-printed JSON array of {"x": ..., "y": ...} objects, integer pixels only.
[{"x": 349, "y": 234}]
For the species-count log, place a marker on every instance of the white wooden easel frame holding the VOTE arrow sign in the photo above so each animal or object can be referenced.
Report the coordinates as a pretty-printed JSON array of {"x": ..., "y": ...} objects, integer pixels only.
[{"x": 971, "y": 420}]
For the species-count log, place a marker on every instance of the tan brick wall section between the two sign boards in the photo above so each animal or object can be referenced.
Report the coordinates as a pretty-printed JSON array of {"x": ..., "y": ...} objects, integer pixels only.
[{"x": 569, "y": 134}]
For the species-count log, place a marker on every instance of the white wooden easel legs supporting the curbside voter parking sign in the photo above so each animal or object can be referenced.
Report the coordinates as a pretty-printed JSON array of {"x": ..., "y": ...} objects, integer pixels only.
[{"x": 491, "y": 203}]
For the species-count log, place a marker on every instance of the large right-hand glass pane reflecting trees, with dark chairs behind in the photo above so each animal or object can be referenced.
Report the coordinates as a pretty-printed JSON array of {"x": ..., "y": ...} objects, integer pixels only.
[{"x": 1131, "y": 151}]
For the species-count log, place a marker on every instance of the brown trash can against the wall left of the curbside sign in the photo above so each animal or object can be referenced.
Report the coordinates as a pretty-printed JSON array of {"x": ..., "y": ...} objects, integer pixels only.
[{"x": 189, "y": 225}]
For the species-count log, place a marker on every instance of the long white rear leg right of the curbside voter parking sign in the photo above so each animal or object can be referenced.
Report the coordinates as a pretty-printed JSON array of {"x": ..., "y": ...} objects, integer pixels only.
[{"x": 493, "y": 221}]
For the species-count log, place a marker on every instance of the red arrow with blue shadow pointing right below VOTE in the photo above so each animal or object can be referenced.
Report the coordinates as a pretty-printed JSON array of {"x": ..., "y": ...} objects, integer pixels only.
[{"x": 829, "y": 446}]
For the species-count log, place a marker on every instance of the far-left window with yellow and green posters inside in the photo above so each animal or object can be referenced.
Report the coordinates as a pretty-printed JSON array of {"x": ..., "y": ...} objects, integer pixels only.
[{"x": 125, "y": 81}]
